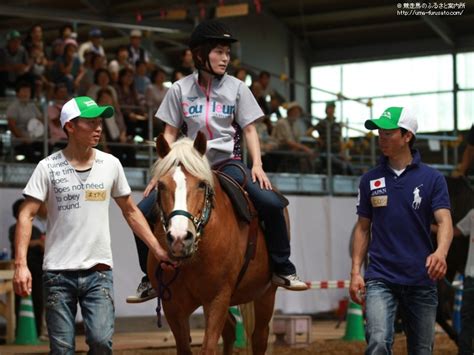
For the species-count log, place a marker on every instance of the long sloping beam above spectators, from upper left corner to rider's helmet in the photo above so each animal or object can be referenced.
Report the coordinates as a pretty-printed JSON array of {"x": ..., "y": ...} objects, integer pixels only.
[{"x": 96, "y": 20}]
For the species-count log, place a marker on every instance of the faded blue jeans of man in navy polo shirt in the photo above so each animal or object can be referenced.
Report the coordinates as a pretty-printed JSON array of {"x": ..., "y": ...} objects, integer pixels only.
[{"x": 418, "y": 308}]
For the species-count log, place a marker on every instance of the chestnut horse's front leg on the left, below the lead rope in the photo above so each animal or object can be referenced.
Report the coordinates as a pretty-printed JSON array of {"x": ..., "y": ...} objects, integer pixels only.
[{"x": 178, "y": 320}]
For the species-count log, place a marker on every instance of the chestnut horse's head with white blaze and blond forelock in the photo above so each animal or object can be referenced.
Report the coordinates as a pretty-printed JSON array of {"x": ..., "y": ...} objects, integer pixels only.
[{"x": 185, "y": 192}]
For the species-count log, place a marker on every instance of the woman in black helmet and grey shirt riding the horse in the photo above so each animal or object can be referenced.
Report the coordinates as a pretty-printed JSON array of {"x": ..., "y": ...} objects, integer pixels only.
[{"x": 223, "y": 108}]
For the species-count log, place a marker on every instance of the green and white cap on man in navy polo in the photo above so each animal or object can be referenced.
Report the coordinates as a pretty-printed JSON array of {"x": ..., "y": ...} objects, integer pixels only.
[{"x": 393, "y": 118}]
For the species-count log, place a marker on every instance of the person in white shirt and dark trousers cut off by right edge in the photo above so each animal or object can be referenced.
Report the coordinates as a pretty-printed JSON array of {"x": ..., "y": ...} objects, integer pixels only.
[{"x": 466, "y": 338}]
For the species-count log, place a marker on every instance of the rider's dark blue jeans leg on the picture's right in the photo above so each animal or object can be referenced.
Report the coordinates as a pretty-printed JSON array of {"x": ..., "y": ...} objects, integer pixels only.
[{"x": 270, "y": 210}]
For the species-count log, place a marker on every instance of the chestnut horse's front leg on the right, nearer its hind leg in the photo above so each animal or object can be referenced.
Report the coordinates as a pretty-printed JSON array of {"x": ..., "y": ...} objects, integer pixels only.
[{"x": 215, "y": 313}]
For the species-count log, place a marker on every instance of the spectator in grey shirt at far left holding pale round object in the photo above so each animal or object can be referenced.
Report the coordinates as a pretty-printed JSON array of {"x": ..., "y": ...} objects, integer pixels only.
[{"x": 25, "y": 123}]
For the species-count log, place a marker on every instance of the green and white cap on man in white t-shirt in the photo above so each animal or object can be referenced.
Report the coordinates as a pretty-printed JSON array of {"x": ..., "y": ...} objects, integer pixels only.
[{"x": 84, "y": 107}]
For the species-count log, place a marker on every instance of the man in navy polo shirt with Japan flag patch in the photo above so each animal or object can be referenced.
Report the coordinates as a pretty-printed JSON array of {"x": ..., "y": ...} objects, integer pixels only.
[{"x": 396, "y": 204}]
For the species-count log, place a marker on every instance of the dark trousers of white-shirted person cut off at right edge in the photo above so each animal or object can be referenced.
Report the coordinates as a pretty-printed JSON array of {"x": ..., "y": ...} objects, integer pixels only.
[{"x": 466, "y": 337}]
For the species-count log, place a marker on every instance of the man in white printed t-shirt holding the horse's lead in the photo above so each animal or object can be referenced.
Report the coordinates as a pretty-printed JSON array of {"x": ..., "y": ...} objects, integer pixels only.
[{"x": 77, "y": 184}]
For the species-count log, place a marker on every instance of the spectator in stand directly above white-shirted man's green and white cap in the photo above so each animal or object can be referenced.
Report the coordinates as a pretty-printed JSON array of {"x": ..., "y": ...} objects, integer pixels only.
[{"x": 68, "y": 68}]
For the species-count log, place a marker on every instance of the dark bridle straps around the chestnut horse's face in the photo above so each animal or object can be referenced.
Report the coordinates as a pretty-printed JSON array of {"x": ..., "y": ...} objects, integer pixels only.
[{"x": 197, "y": 222}]
